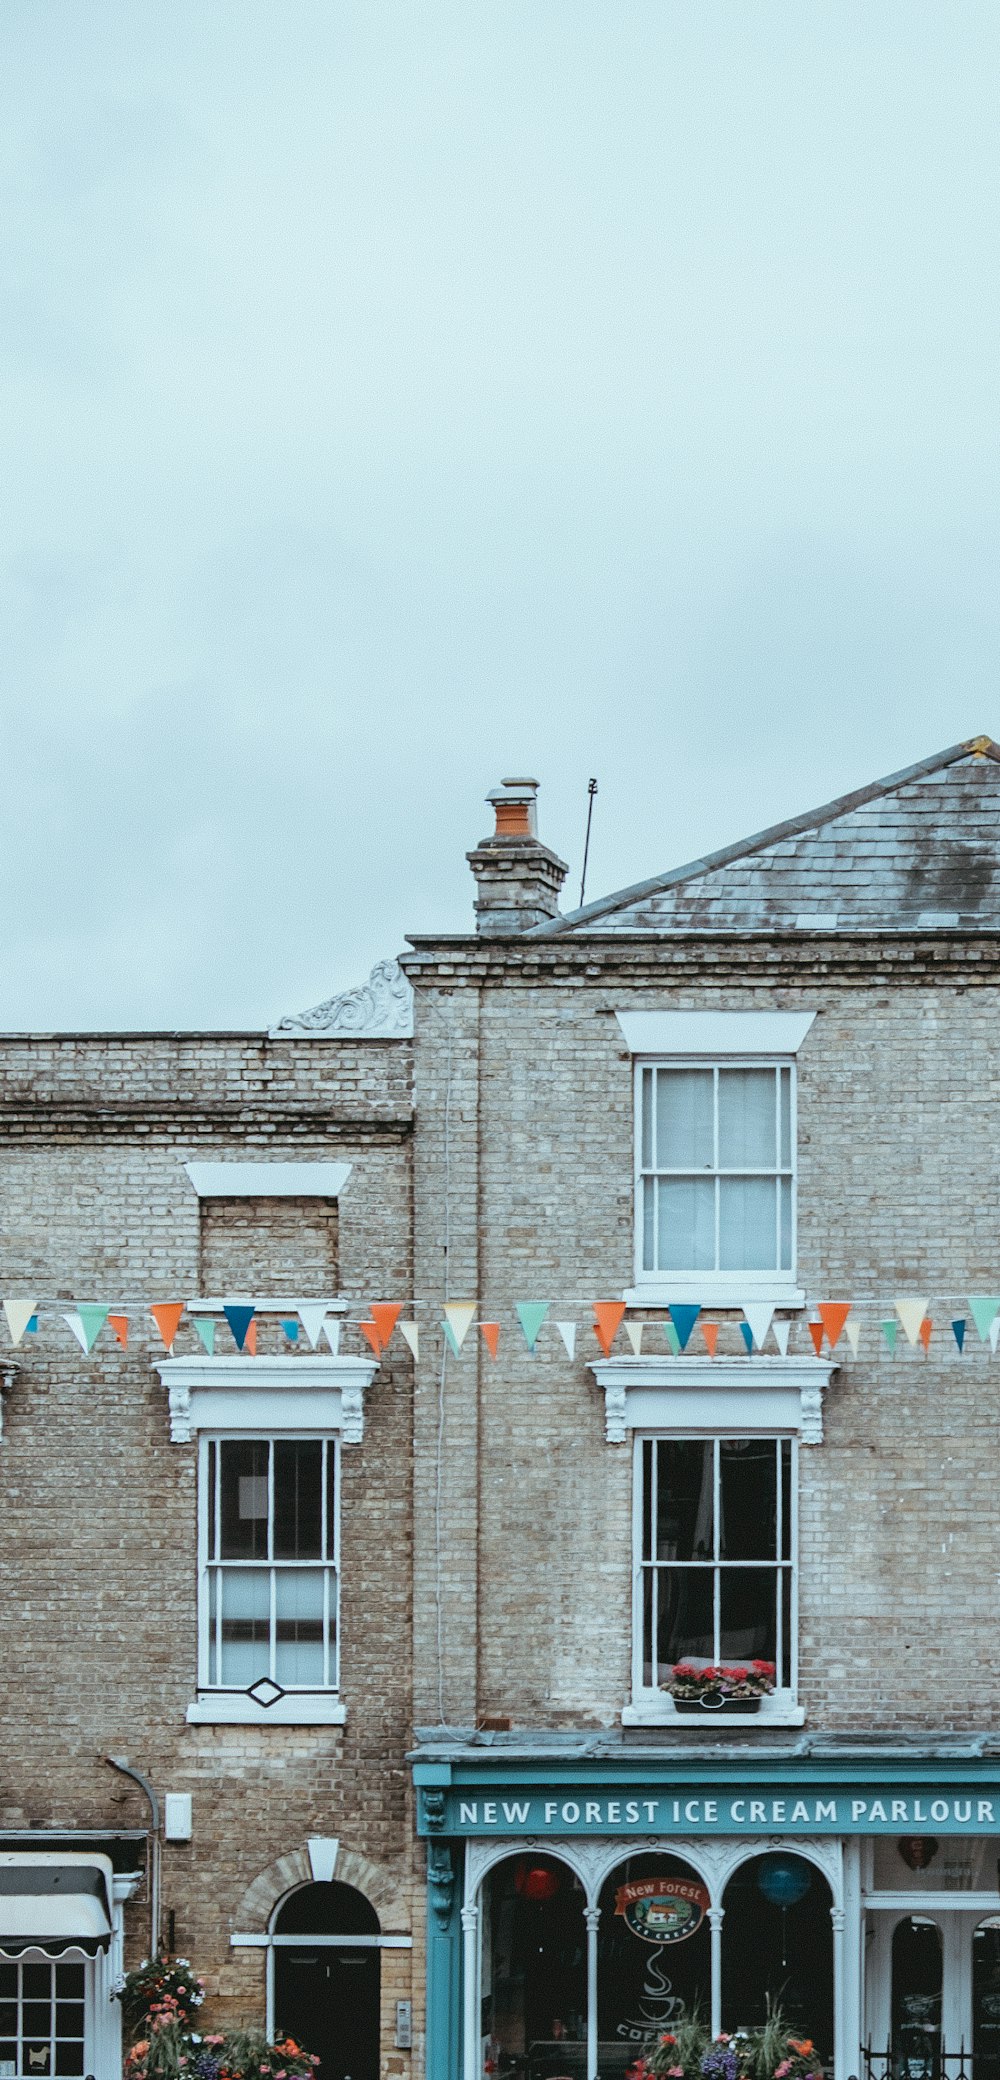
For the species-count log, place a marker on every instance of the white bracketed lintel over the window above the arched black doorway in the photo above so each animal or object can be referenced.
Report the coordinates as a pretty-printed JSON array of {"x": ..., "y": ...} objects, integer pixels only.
[{"x": 267, "y": 1397}]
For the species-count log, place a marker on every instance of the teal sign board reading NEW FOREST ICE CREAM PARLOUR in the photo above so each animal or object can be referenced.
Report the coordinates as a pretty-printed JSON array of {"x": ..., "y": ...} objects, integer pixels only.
[{"x": 722, "y": 1811}]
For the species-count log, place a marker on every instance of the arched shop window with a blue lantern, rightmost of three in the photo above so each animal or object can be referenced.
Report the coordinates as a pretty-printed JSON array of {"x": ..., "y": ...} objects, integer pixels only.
[{"x": 779, "y": 1948}]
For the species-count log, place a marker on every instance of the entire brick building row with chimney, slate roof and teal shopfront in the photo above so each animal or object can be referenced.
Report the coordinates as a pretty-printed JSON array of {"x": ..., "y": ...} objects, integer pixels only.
[{"x": 394, "y": 1642}]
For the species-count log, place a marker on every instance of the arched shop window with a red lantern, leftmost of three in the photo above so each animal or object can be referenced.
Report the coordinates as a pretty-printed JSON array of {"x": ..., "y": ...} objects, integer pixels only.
[{"x": 533, "y": 1967}]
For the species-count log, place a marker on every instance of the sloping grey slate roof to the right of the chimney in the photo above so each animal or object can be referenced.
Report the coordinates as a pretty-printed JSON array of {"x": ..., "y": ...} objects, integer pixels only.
[{"x": 914, "y": 852}]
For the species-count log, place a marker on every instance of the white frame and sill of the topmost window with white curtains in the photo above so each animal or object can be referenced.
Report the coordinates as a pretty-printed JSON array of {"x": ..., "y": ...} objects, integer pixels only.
[{"x": 716, "y": 1289}]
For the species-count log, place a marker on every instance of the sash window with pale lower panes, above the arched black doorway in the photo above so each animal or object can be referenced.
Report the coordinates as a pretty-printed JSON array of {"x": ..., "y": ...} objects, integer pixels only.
[{"x": 269, "y": 1578}]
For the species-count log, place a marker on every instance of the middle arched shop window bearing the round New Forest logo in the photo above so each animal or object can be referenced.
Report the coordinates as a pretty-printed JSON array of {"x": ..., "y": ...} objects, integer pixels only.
[{"x": 654, "y": 1952}]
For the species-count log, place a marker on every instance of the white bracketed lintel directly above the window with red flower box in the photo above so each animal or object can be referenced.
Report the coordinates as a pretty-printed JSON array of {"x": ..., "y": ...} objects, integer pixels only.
[{"x": 714, "y": 1395}]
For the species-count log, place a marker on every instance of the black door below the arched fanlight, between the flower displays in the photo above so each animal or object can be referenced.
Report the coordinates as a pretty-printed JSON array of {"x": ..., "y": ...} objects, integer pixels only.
[{"x": 330, "y": 2002}]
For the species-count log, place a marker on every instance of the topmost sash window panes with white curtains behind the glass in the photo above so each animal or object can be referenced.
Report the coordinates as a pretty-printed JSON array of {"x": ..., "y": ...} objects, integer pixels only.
[{"x": 716, "y": 1168}]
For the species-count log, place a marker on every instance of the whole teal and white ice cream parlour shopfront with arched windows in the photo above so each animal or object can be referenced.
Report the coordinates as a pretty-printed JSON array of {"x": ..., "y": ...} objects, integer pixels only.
[{"x": 579, "y": 1908}]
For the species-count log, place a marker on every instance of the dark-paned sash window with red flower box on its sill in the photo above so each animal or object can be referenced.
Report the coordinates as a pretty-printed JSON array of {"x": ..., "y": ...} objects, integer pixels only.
[{"x": 716, "y": 1576}]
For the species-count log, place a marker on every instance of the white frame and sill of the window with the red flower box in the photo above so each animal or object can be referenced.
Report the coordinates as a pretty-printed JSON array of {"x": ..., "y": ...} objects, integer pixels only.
[{"x": 654, "y": 1707}]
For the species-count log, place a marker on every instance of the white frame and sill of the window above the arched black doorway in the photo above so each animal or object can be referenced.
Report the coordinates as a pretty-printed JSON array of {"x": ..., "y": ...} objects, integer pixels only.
[{"x": 298, "y": 1707}]
